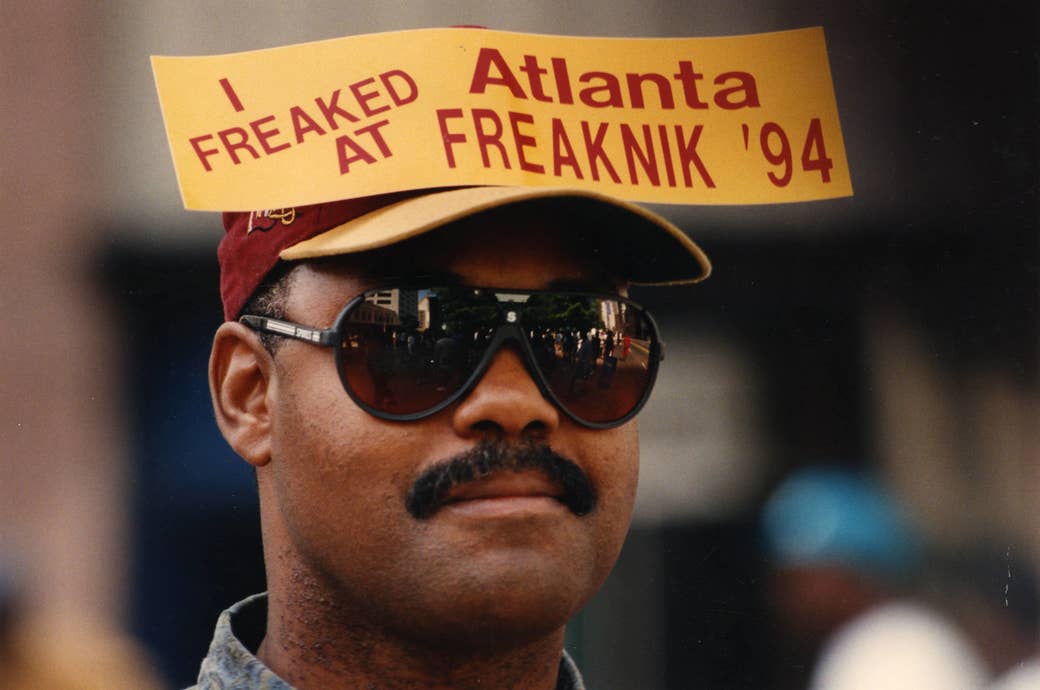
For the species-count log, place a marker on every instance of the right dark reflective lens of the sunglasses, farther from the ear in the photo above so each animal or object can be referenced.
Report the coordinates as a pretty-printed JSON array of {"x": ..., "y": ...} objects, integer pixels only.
[{"x": 595, "y": 353}]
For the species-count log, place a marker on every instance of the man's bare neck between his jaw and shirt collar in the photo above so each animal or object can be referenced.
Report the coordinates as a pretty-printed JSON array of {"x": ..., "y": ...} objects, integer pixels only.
[{"x": 315, "y": 641}]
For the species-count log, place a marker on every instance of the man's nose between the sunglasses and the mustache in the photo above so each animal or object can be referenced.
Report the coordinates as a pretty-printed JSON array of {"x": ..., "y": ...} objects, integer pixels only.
[{"x": 506, "y": 403}]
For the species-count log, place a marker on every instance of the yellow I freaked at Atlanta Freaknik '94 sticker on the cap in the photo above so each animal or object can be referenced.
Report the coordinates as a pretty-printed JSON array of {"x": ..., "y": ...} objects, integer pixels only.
[{"x": 735, "y": 120}]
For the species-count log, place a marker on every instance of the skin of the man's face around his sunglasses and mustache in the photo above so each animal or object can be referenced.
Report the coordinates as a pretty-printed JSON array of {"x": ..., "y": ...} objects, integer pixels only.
[{"x": 503, "y": 564}]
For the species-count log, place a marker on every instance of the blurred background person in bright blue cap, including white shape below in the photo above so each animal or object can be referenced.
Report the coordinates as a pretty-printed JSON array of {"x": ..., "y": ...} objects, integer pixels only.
[{"x": 844, "y": 561}]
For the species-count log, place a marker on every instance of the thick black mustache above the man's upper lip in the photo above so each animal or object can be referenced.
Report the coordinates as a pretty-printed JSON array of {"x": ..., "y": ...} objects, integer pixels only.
[{"x": 431, "y": 489}]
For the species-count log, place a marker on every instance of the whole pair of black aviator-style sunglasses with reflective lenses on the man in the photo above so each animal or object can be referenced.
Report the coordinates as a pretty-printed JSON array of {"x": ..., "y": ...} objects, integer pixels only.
[{"x": 407, "y": 353}]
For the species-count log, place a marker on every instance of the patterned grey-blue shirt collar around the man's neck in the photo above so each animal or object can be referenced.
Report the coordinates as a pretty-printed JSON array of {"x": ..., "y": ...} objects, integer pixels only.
[{"x": 231, "y": 665}]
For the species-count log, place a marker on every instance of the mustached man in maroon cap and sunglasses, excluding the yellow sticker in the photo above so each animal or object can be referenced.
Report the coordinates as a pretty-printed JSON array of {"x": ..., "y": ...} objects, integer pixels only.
[{"x": 431, "y": 526}]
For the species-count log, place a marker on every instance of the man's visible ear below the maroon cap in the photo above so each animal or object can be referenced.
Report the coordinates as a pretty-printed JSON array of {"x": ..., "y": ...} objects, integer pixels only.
[{"x": 241, "y": 385}]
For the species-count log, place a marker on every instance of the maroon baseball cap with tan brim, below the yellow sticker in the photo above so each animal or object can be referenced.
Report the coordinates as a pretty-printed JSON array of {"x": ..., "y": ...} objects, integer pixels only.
[{"x": 651, "y": 250}]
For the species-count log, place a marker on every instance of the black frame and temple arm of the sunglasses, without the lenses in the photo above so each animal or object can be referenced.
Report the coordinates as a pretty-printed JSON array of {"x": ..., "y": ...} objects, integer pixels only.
[{"x": 506, "y": 331}]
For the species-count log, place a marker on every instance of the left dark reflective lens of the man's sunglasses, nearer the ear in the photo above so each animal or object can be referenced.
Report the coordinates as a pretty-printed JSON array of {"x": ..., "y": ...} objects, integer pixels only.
[{"x": 406, "y": 351}]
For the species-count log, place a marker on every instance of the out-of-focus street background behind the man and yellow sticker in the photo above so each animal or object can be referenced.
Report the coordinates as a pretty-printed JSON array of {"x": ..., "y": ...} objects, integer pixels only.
[{"x": 891, "y": 339}]
